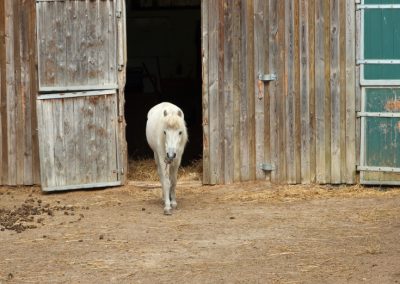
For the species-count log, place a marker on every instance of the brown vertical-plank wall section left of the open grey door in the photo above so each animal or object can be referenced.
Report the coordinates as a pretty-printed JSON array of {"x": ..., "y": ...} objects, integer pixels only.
[{"x": 19, "y": 162}]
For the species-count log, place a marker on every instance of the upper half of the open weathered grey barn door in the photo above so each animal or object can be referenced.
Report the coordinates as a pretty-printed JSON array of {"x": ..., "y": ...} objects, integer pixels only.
[{"x": 77, "y": 45}]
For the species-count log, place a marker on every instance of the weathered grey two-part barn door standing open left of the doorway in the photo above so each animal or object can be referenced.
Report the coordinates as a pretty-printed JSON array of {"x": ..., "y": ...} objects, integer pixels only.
[{"x": 78, "y": 106}]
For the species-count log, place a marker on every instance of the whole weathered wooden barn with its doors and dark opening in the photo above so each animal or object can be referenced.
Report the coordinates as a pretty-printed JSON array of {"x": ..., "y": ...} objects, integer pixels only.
[{"x": 291, "y": 91}]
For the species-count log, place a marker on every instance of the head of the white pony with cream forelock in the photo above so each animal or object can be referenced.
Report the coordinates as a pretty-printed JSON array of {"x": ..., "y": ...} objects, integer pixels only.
[{"x": 175, "y": 134}]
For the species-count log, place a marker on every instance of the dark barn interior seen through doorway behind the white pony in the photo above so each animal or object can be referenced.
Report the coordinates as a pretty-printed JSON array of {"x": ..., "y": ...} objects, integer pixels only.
[{"x": 164, "y": 64}]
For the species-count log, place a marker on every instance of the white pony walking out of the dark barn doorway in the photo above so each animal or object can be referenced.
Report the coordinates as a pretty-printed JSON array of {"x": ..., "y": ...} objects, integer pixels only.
[{"x": 167, "y": 136}]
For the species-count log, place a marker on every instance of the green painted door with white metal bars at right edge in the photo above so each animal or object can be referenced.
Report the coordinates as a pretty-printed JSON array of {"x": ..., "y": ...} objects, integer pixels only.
[{"x": 380, "y": 80}]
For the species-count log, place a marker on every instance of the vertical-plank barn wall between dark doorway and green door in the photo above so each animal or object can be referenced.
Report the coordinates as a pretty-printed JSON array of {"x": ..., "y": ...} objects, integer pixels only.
[{"x": 303, "y": 124}]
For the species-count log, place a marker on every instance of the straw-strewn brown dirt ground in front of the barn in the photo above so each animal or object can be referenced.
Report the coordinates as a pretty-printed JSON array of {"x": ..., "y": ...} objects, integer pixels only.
[{"x": 241, "y": 233}]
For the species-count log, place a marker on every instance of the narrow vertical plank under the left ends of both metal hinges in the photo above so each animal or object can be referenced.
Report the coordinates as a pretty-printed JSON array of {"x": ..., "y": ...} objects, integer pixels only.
[{"x": 260, "y": 49}]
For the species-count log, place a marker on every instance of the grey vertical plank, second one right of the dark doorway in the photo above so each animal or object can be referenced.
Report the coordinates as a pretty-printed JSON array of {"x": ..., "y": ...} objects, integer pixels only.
[{"x": 214, "y": 92}]
